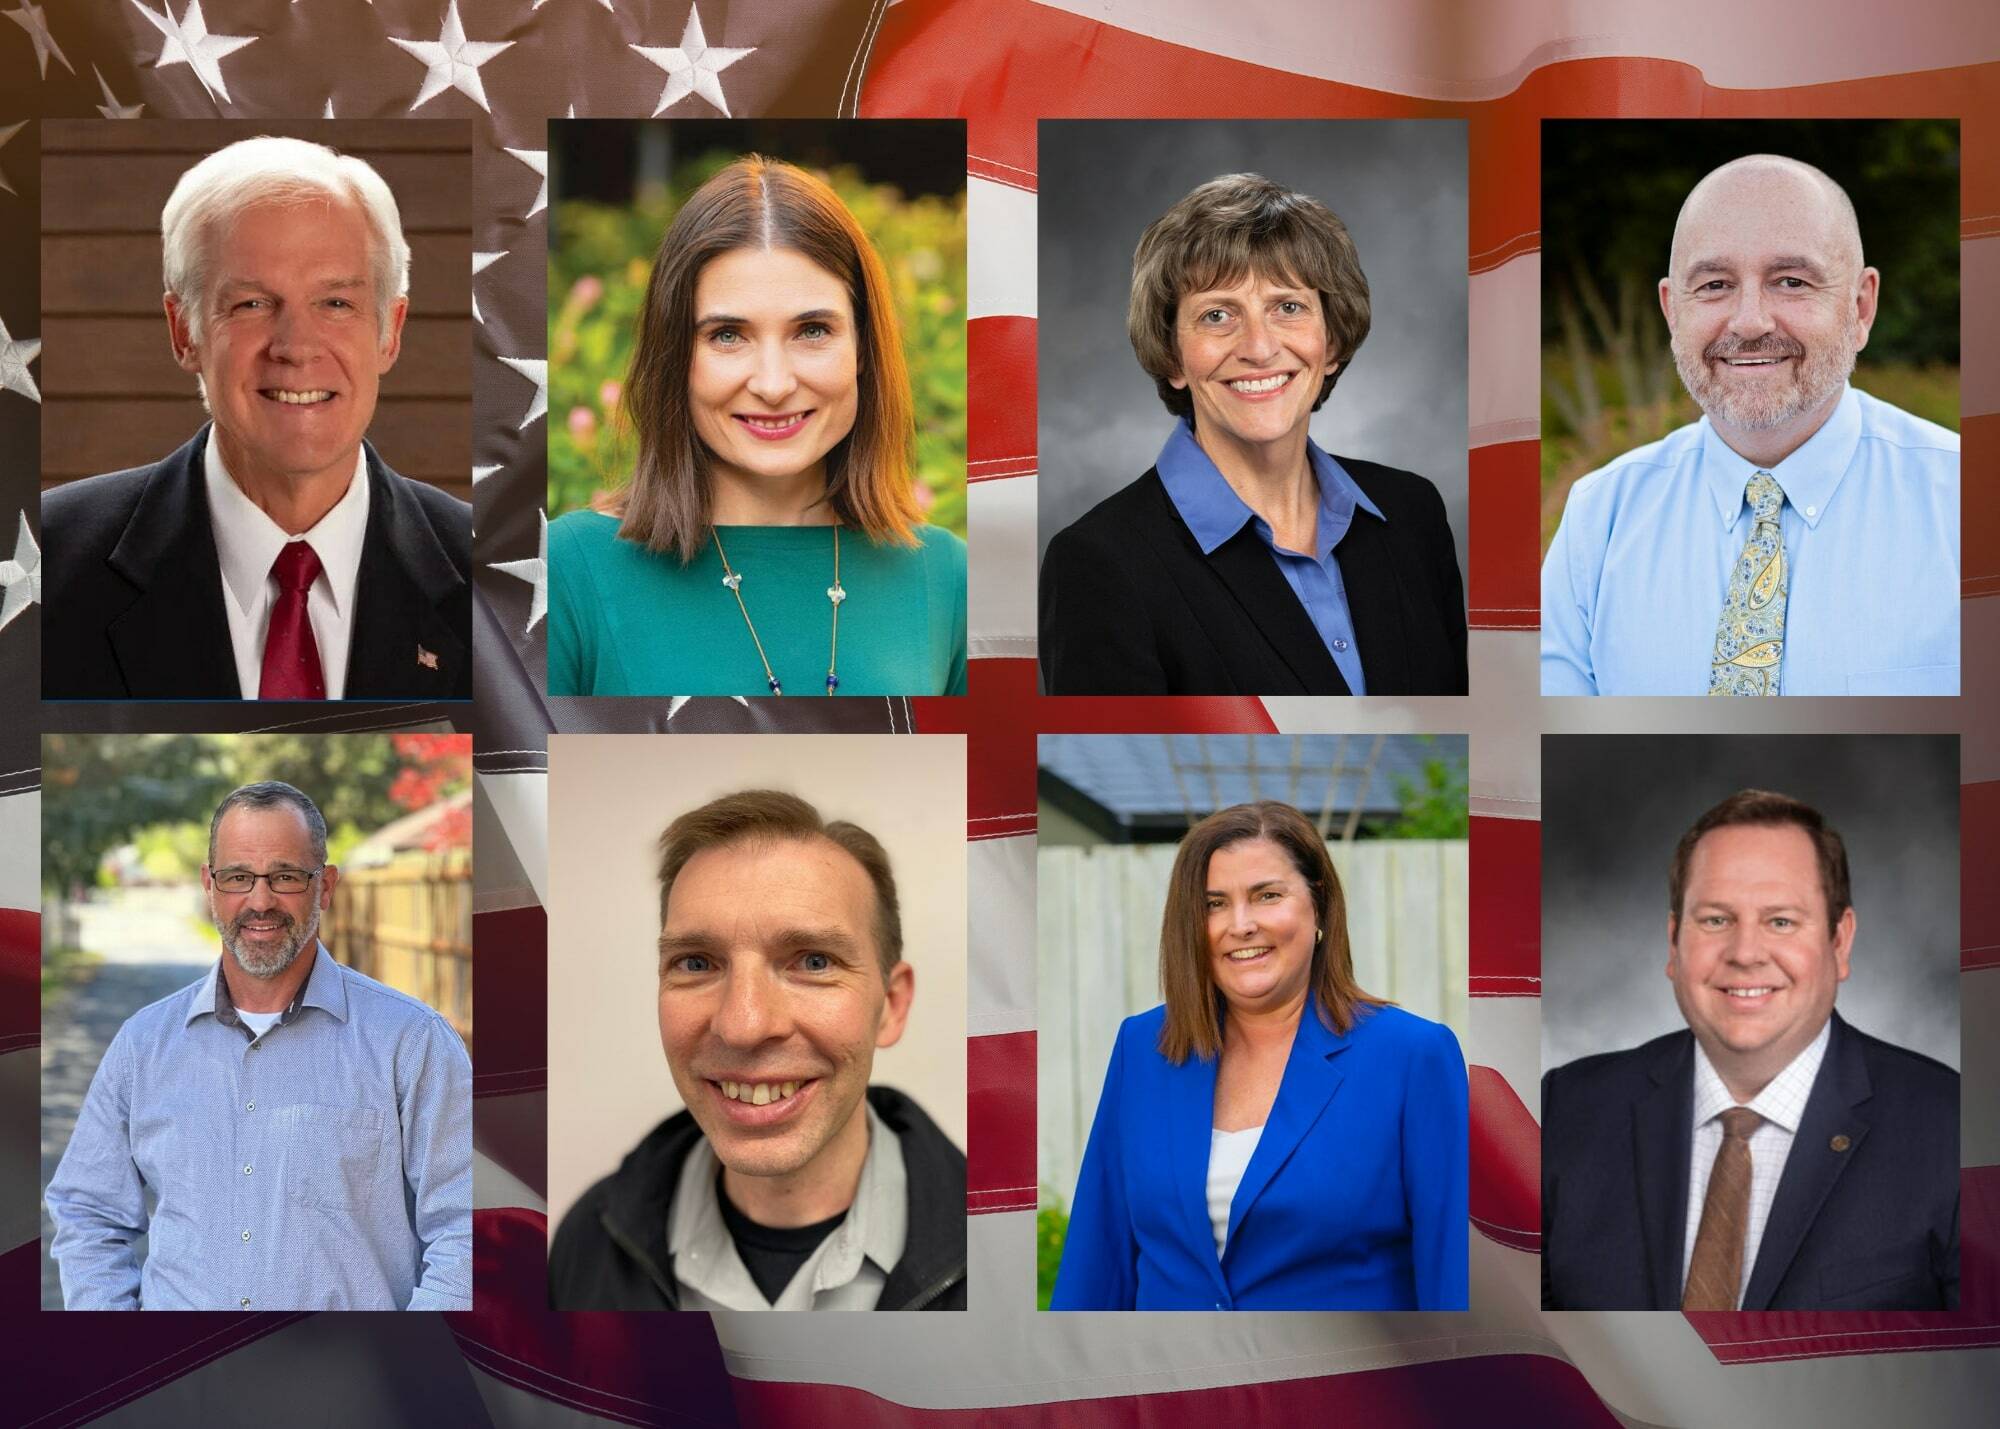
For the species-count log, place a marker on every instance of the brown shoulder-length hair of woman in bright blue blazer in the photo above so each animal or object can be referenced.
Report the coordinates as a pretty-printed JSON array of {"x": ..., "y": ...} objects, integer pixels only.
[{"x": 1193, "y": 1004}]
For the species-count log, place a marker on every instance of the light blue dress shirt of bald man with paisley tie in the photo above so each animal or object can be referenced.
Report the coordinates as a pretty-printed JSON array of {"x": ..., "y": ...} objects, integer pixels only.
[{"x": 1639, "y": 571}]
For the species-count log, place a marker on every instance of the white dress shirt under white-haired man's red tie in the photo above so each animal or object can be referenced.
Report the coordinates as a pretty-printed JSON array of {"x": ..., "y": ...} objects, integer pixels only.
[{"x": 249, "y": 543}]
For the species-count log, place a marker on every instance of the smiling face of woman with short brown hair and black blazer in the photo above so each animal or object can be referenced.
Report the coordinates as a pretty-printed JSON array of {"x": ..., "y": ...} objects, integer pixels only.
[{"x": 1253, "y": 357}]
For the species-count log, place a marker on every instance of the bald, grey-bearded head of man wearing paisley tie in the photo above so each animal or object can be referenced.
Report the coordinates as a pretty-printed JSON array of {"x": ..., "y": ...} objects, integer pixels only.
[{"x": 1769, "y": 299}]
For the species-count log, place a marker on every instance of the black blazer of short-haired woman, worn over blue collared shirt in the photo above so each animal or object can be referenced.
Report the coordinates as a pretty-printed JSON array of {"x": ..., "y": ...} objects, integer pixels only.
[{"x": 1133, "y": 607}]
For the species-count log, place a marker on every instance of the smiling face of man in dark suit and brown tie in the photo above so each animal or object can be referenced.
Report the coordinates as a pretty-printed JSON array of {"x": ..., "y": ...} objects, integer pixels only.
[{"x": 1753, "y": 956}]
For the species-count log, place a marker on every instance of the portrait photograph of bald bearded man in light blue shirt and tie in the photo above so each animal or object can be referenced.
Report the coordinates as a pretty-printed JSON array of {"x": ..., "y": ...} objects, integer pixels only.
[{"x": 1751, "y": 407}]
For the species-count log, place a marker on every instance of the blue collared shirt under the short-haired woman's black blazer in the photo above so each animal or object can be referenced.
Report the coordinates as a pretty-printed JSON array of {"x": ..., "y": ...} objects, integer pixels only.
[{"x": 1215, "y": 513}]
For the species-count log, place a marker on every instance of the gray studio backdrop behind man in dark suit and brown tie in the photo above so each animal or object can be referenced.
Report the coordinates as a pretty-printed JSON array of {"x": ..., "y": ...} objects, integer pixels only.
[{"x": 1615, "y": 808}]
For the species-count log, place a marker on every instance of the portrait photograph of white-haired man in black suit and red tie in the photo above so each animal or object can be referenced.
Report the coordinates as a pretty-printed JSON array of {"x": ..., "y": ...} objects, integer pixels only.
[{"x": 257, "y": 429}]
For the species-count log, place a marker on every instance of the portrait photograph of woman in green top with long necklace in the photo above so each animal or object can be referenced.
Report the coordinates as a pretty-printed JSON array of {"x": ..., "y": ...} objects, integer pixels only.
[{"x": 757, "y": 381}]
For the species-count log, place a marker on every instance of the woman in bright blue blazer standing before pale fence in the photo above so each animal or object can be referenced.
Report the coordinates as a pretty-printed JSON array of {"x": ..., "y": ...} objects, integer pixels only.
[{"x": 1271, "y": 1138}]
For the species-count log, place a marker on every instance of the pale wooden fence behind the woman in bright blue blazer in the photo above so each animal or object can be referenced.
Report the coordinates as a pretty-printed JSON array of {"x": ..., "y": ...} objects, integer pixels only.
[{"x": 1099, "y": 960}]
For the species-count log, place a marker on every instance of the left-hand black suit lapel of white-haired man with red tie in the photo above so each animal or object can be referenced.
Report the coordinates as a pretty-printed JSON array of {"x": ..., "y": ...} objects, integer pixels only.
[{"x": 175, "y": 639}]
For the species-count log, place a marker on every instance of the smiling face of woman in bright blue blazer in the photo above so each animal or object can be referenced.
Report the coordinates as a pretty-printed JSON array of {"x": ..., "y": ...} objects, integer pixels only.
[{"x": 1261, "y": 926}]
